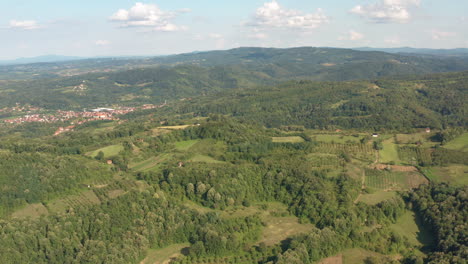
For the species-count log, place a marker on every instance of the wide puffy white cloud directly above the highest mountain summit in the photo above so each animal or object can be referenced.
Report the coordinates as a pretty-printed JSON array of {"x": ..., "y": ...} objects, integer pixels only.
[{"x": 273, "y": 15}]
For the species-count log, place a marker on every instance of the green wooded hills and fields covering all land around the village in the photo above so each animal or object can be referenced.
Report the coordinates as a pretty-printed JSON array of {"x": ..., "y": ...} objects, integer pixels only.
[{"x": 268, "y": 162}]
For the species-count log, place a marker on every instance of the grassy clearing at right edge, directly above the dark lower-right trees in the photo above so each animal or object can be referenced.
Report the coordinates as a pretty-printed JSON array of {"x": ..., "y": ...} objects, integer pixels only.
[{"x": 455, "y": 174}]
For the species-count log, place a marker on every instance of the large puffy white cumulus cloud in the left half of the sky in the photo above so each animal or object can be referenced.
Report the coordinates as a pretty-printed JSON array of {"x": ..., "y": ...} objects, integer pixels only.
[{"x": 148, "y": 15}]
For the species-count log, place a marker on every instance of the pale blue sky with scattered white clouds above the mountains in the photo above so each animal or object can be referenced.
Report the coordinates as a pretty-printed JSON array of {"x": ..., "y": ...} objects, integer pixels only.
[{"x": 153, "y": 27}]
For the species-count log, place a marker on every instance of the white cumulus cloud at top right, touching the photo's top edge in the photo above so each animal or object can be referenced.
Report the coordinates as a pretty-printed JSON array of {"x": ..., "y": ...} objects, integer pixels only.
[{"x": 387, "y": 11}]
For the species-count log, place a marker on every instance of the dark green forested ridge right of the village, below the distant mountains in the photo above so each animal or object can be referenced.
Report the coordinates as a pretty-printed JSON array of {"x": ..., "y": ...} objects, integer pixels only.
[{"x": 432, "y": 101}]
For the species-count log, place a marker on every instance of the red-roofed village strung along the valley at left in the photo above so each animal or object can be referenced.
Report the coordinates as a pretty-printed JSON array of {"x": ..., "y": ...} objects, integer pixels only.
[{"x": 36, "y": 114}]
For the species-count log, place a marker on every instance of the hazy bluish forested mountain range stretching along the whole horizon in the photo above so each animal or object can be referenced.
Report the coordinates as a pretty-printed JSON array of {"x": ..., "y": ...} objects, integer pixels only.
[{"x": 327, "y": 64}]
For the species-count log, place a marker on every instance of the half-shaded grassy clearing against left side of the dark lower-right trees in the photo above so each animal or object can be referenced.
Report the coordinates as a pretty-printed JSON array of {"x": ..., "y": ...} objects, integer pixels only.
[{"x": 410, "y": 226}]
